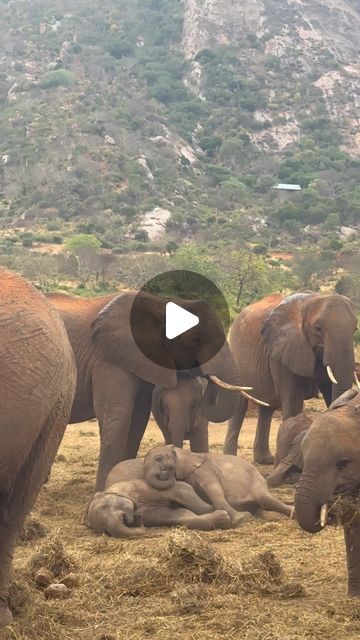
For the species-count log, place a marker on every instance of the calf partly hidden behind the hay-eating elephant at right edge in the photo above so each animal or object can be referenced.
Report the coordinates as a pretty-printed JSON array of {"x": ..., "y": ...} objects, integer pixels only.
[{"x": 288, "y": 461}]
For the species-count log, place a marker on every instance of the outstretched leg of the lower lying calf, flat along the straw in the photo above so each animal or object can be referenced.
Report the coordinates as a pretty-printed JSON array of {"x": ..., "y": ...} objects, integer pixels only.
[{"x": 164, "y": 516}]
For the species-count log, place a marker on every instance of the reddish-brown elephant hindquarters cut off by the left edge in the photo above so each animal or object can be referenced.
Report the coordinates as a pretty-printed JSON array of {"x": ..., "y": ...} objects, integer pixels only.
[{"x": 37, "y": 383}]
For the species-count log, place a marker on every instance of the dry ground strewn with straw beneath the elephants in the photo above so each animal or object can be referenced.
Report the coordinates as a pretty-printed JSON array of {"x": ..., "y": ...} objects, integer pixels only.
[{"x": 137, "y": 589}]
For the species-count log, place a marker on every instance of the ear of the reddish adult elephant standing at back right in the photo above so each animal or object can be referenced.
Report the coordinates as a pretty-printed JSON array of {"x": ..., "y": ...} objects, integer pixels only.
[{"x": 283, "y": 335}]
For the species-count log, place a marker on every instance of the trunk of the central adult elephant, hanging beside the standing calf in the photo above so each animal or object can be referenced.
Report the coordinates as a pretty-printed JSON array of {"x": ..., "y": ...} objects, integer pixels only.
[{"x": 219, "y": 404}]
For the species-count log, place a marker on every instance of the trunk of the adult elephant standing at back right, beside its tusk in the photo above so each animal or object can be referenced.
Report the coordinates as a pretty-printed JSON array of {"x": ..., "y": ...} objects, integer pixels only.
[{"x": 340, "y": 363}]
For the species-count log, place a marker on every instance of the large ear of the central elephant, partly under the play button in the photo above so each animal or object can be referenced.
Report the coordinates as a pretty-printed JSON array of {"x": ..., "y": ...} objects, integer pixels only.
[{"x": 111, "y": 331}]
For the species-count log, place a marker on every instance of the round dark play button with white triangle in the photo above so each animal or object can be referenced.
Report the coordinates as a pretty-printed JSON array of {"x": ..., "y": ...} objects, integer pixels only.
[{"x": 179, "y": 320}]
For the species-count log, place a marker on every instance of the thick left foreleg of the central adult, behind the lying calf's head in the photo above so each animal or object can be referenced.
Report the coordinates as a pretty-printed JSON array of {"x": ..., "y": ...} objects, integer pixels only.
[{"x": 114, "y": 392}]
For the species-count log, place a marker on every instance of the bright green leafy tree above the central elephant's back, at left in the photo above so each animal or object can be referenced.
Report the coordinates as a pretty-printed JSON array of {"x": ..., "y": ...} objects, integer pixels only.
[{"x": 86, "y": 250}]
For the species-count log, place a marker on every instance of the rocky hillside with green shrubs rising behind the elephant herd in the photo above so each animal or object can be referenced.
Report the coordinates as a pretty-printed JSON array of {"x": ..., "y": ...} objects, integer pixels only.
[{"x": 152, "y": 120}]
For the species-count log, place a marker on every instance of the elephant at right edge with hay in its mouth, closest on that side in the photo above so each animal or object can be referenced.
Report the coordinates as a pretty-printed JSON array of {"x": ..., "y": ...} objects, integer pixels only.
[{"x": 331, "y": 455}]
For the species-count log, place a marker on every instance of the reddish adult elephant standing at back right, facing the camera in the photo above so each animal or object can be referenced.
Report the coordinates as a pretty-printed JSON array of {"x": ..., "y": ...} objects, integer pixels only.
[{"x": 289, "y": 348}]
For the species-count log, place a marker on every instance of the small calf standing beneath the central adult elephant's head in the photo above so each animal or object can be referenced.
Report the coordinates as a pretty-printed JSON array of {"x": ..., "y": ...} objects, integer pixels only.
[{"x": 178, "y": 414}]
